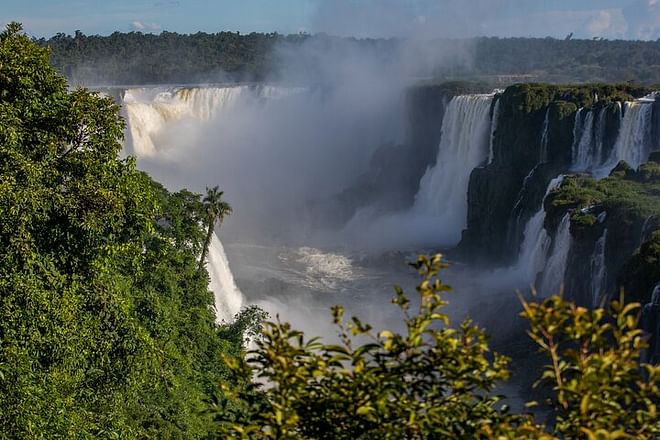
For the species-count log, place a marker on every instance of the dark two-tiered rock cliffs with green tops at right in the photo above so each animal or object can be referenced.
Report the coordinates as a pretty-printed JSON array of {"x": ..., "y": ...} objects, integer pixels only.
[{"x": 545, "y": 131}]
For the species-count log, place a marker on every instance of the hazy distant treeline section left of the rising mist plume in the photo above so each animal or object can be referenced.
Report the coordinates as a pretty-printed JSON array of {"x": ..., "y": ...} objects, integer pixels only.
[{"x": 136, "y": 58}]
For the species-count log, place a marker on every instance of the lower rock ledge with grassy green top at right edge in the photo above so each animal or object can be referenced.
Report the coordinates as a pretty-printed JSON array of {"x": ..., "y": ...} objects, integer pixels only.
[{"x": 623, "y": 211}]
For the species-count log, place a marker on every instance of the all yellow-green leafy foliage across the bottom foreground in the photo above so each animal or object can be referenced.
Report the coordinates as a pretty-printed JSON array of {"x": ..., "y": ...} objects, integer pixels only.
[{"x": 434, "y": 380}]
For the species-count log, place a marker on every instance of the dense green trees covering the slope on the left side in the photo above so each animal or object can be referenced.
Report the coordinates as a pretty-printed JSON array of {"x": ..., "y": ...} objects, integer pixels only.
[{"x": 106, "y": 323}]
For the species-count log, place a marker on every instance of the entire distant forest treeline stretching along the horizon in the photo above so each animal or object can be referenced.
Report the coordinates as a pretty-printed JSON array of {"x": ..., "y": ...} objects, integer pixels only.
[{"x": 136, "y": 58}]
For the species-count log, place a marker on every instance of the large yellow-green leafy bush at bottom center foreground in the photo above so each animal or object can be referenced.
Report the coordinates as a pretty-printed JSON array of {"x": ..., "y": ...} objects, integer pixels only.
[{"x": 431, "y": 381}]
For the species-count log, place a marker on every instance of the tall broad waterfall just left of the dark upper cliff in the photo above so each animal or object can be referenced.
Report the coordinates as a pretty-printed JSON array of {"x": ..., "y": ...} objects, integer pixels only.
[{"x": 442, "y": 195}]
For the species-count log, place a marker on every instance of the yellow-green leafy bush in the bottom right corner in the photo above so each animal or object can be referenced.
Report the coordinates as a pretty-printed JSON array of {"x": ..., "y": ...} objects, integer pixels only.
[{"x": 602, "y": 390}]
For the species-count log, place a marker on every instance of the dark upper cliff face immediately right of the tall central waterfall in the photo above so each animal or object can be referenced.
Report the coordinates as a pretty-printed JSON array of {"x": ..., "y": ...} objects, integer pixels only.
[{"x": 532, "y": 144}]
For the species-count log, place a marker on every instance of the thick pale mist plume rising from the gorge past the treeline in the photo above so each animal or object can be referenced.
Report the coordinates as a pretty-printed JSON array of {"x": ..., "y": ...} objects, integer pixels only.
[{"x": 281, "y": 152}]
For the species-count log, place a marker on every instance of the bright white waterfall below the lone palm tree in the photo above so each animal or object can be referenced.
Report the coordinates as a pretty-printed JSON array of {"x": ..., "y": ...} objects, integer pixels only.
[{"x": 228, "y": 299}]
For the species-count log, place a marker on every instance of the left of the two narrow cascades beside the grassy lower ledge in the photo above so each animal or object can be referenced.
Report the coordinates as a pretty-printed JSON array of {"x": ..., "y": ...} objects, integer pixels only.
[{"x": 536, "y": 241}]
